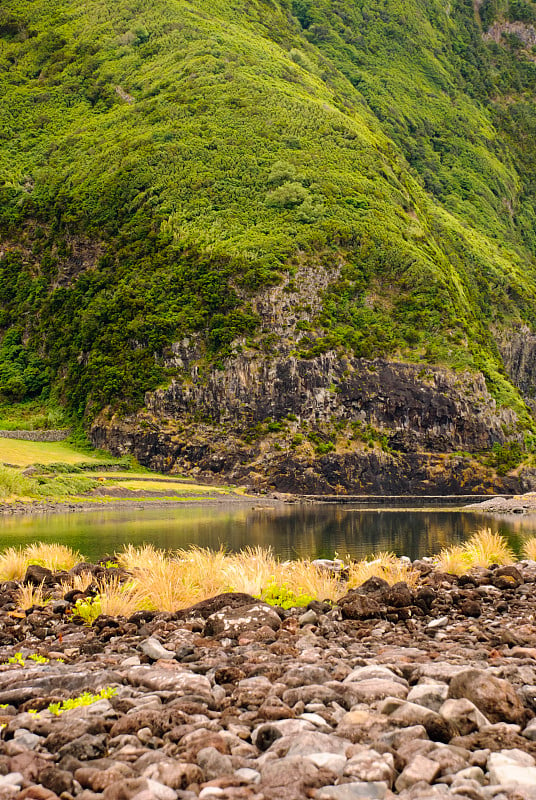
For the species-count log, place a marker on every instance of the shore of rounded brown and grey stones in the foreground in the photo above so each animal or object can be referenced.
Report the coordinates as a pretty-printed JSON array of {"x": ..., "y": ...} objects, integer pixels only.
[{"x": 419, "y": 692}]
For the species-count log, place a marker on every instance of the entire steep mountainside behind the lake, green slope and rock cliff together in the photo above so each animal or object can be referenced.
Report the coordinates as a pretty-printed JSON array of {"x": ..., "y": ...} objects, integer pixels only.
[{"x": 207, "y": 198}]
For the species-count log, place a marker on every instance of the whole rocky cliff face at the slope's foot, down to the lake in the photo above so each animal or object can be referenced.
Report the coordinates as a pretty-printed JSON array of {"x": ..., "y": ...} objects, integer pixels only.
[{"x": 321, "y": 426}]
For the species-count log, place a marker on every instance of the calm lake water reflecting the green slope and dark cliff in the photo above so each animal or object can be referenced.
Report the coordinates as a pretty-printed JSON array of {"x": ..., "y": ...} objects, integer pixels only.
[{"x": 292, "y": 531}]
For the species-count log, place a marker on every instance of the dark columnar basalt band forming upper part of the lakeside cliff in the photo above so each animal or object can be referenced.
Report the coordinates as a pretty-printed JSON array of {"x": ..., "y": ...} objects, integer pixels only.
[{"x": 430, "y": 408}]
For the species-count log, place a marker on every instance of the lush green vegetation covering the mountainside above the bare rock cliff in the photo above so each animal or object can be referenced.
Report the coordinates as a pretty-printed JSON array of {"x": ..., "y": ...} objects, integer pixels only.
[{"x": 161, "y": 163}]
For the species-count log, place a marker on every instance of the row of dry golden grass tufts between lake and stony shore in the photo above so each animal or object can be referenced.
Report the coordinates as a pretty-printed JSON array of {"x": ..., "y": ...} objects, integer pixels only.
[{"x": 169, "y": 582}]
